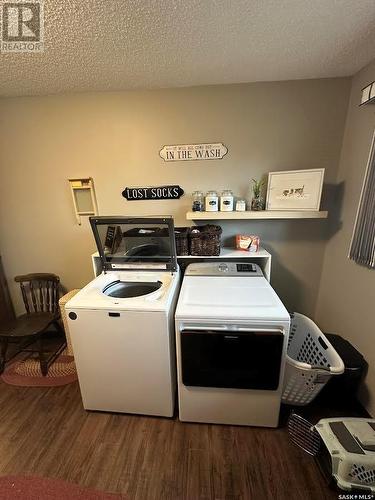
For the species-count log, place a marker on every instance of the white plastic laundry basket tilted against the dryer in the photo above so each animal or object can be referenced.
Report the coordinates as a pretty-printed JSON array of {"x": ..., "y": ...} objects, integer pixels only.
[{"x": 310, "y": 362}]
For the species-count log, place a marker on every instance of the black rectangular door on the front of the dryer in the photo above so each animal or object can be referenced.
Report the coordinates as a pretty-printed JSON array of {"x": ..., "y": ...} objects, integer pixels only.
[{"x": 237, "y": 360}]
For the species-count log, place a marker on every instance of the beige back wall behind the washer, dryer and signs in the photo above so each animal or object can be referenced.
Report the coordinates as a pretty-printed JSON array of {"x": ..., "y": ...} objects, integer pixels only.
[{"x": 116, "y": 137}]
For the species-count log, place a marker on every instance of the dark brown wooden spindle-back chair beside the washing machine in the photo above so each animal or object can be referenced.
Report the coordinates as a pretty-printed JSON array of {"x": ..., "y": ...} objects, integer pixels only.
[{"x": 40, "y": 293}]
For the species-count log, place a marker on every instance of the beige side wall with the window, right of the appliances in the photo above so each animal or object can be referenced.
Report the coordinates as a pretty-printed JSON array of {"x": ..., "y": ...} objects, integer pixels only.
[{"x": 346, "y": 302}]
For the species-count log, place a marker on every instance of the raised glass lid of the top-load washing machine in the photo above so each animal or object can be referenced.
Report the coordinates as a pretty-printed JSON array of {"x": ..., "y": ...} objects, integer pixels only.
[{"x": 135, "y": 243}]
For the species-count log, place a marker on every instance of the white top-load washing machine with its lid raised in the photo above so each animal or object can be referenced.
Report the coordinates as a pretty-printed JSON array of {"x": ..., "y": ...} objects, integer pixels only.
[{"x": 122, "y": 323}]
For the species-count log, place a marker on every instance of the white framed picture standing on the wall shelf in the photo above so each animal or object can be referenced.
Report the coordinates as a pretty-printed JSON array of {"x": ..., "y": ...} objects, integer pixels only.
[{"x": 295, "y": 189}]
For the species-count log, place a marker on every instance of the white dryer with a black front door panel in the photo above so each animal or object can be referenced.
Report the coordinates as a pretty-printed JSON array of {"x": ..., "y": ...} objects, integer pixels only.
[{"x": 231, "y": 338}]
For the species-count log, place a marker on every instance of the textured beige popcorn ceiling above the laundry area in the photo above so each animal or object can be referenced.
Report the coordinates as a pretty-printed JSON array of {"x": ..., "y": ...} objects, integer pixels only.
[{"x": 126, "y": 44}]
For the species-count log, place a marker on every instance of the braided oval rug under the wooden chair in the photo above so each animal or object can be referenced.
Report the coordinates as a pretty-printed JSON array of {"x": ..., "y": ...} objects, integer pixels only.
[{"x": 27, "y": 373}]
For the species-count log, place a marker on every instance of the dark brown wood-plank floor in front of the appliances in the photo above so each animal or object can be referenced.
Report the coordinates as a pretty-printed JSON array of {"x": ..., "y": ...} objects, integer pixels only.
[{"x": 46, "y": 432}]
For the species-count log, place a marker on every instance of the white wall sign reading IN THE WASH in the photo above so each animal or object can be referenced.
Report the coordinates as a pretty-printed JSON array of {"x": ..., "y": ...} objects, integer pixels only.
[{"x": 190, "y": 152}]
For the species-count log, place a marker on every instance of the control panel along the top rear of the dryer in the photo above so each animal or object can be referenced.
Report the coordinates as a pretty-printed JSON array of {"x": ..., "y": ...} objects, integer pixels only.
[{"x": 236, "y": 269}]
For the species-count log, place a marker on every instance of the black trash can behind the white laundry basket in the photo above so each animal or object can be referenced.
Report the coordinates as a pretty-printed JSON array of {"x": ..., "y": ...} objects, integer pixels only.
[{"x": 343, "y": 388}]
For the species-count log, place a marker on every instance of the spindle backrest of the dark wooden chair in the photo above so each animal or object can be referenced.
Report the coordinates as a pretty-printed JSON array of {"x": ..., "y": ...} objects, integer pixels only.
[{"x": 40, "y": 292}]
